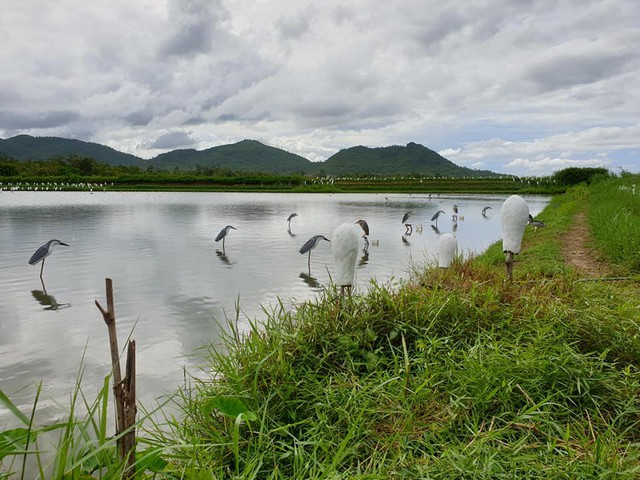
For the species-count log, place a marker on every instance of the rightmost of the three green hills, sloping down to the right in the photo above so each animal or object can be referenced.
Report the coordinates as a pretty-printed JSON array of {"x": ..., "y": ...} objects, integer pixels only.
[{"x": 396, "y": 160}]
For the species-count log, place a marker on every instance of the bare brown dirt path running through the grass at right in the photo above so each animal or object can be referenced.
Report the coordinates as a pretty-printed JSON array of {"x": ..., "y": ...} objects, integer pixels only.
[{"x": 578, "y": 253}]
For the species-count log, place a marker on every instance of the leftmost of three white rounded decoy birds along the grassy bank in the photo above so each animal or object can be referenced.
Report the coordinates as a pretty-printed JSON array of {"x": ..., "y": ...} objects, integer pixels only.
[{"x": 344, "y": 247}]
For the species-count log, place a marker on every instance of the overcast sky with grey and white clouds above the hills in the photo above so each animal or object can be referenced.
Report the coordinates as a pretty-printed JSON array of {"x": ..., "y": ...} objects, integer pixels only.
[{"x": 522, "y": 87}]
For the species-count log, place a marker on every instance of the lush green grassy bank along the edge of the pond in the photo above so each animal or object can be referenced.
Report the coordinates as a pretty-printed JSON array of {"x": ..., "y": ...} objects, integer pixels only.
[{"x": 452, "y": 374}]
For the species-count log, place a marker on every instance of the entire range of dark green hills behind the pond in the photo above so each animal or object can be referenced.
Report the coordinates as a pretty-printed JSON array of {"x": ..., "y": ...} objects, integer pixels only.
[{"x": 251, "y": 156}]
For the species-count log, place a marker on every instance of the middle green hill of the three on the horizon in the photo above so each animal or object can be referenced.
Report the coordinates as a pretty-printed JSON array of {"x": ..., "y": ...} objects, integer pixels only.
[{"x": 247, "y": 155}]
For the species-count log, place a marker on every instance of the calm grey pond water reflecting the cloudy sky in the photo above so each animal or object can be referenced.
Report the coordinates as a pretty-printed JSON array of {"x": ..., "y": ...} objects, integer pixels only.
[{"x": 172, "y": 281}]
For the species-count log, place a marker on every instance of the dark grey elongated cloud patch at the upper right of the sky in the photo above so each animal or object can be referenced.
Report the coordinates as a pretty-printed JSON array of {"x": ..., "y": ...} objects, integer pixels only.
[{"x": 576, "y": 69}]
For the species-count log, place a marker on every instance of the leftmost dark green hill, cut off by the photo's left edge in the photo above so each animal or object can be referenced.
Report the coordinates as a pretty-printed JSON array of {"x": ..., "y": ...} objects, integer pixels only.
[{"x": 26, "y": 147}]
